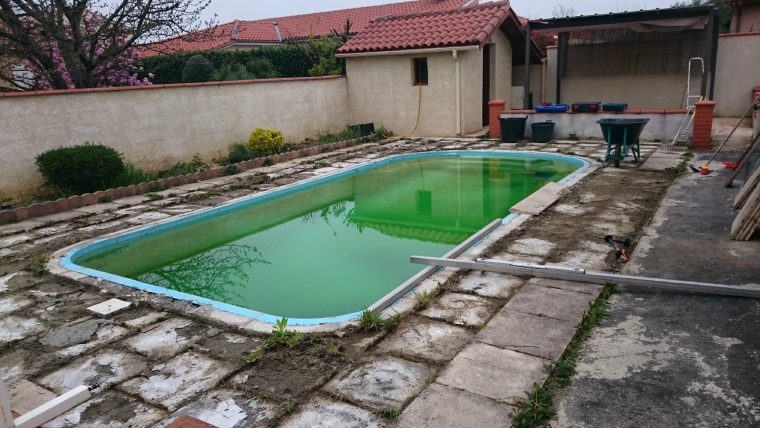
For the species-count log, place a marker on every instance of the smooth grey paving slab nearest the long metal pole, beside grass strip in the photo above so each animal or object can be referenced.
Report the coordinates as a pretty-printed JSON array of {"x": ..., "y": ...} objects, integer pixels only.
[{"x": 550, "y": 302}]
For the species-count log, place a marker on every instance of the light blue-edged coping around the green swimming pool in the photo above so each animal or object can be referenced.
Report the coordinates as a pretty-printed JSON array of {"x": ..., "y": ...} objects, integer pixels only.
[{"x": 398, "y": 301}]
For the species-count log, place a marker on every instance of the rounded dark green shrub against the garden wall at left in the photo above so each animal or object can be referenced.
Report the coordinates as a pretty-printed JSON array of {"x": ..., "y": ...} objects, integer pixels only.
[{"x": 81, "y": 169}]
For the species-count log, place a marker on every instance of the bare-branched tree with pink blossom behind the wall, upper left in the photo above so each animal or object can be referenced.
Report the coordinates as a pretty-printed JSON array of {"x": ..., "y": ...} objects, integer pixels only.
[{"x": 68, "y": 44}]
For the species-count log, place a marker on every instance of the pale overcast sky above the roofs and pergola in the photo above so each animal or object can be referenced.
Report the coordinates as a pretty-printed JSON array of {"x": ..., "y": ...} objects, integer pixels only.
[{"x": 228, "y": 10}]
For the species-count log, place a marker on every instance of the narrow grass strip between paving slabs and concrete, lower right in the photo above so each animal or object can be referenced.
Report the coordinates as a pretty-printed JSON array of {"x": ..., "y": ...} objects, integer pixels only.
[{"x": 538, "y": 409}]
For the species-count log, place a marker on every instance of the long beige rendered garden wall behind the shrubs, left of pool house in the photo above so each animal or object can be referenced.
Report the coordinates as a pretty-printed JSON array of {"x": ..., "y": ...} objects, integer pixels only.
[{"x": 155, "y": 127}]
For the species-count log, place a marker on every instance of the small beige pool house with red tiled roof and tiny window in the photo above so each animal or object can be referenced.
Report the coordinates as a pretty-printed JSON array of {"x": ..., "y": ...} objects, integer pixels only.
[{"x": 434, "y": 73}]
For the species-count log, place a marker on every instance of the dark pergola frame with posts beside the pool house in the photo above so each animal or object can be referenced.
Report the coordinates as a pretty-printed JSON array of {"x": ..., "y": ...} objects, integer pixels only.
[{"x": 673, "y": 19}]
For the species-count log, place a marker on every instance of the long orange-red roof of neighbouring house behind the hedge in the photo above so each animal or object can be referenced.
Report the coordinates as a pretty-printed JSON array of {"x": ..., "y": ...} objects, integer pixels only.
[{"x": 293, "y": 28}]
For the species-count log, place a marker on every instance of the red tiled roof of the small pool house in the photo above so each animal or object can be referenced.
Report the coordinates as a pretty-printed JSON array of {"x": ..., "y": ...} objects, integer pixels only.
[{"x": 467, "y": 26}]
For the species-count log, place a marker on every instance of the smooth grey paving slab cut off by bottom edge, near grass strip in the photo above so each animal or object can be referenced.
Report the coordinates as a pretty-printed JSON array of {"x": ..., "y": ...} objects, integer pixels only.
[{"x": 440, "y": 406}]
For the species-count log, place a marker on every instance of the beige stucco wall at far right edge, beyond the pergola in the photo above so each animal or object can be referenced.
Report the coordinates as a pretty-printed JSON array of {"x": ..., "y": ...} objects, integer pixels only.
[{"x": 737, "y": 74}]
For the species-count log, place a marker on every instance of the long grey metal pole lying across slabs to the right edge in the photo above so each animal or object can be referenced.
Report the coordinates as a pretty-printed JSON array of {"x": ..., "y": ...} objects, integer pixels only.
[{"x": 582, "y": 275}]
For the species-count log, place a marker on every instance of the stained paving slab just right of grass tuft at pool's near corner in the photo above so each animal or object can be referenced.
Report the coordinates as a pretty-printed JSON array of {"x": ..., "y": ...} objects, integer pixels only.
[{"x": 425, "y": 339}]
